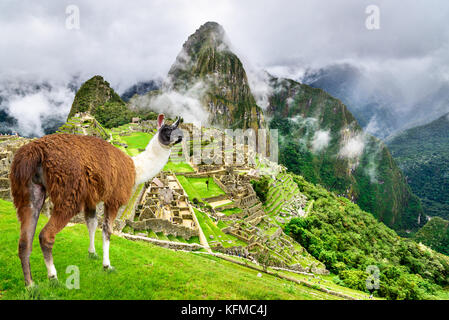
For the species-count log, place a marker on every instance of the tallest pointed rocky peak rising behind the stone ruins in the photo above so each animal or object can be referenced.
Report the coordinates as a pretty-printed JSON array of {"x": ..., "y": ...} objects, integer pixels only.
[{"x": 207, "y": 62}]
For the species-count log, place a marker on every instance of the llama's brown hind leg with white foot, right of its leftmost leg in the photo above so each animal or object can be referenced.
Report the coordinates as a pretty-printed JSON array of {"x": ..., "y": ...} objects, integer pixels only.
[{"x": 57, "y": 222}]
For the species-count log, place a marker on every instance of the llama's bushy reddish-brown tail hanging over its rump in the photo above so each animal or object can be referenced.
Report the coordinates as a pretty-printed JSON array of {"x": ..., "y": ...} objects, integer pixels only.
[{"x": 23, "y": 168}]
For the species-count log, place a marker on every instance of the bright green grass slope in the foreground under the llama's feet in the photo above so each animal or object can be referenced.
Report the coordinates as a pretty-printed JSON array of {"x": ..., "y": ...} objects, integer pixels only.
[{"x": 143, "y": 271}]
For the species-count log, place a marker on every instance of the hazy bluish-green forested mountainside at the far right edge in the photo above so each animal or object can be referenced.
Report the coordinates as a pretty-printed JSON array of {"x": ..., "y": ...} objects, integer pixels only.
[{"x": 423, "y": 155}]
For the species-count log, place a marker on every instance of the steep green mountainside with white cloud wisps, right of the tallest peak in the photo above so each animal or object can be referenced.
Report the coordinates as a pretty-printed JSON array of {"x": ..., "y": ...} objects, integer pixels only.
[{"x": 321, "y": 140}]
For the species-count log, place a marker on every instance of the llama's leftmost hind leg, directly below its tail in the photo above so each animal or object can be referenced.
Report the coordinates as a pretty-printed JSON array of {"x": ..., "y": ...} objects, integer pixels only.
[{"x": 28, "y": 216}]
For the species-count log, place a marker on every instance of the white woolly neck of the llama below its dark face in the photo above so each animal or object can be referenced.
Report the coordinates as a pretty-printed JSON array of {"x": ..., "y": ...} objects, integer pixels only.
[{"x": 151, "y": 161}]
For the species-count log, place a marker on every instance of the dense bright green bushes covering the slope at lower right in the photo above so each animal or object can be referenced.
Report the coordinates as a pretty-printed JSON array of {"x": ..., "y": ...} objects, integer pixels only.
[{"x": 348, "y": 240}]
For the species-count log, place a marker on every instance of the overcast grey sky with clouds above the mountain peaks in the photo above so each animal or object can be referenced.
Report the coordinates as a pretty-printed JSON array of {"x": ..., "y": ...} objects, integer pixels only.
[{"x": 128, "y": 41}]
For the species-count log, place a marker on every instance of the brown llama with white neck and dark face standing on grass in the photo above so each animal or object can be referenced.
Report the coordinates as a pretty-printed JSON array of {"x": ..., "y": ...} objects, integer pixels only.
[{"x": 77, "y": 172}]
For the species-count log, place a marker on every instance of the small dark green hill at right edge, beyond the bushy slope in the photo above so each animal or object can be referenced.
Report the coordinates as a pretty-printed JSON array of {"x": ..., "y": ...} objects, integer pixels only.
[{"x": 435, "y": 234}]
